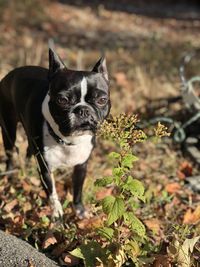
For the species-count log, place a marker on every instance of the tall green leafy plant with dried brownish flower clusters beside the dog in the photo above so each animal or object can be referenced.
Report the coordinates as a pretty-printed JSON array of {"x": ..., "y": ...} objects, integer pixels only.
[{"x": 123, "y": 233}]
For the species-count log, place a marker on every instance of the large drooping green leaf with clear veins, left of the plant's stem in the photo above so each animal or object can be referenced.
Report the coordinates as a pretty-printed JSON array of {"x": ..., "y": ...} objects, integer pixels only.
[{"x": 114, "y": 207}]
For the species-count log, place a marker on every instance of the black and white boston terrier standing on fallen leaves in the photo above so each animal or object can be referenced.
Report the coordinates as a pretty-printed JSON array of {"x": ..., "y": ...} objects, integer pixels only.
[{"x": 60, "y": 110}]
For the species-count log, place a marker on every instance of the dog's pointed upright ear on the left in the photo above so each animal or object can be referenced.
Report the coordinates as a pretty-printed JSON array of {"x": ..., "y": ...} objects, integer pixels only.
[{"x": 55, "y": 63}]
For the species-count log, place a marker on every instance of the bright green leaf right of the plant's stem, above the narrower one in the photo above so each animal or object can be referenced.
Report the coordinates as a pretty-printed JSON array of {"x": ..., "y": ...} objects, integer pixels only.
[{"x": 135, "y": 187}]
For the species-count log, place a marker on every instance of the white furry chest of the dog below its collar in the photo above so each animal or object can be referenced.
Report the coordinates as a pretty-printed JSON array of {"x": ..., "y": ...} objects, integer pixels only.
[{"x": 62, "y": 155}]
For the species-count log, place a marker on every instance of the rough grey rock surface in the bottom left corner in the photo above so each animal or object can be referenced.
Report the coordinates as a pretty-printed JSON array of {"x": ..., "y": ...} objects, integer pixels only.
[{"x": 15, "y": 252}]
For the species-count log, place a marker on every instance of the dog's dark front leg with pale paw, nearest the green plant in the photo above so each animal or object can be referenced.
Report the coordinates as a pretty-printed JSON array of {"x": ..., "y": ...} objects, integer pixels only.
[{"x": 78, "y": 178}]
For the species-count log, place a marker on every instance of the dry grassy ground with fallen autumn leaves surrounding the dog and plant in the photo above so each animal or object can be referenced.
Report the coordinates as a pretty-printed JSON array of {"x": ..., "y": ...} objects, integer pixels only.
[{"x": 143, "y": 55}]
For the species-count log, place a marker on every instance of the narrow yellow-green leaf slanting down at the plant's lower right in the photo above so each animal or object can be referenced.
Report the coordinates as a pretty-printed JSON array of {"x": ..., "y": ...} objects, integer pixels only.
[{"x": 136, "y": 225}]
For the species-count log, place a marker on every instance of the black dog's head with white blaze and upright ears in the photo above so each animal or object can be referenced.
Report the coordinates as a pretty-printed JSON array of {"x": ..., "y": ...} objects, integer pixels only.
[{"x": 78, "y": 100}]
